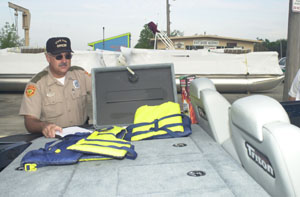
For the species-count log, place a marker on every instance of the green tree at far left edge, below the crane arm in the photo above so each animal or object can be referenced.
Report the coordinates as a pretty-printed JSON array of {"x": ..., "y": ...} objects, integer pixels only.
[{"x": 9, "y": 37}]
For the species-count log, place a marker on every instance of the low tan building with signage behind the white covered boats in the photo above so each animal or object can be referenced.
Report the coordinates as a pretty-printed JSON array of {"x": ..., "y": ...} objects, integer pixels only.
[{"x": 209, "y": 42}]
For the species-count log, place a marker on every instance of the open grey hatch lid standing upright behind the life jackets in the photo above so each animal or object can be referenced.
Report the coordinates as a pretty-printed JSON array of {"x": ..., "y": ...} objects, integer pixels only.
[{"x": 118, "y": 91}]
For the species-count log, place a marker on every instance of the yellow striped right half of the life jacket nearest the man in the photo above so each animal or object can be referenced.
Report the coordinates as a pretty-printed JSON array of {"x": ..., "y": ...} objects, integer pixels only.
[{"x": 105, "y": 143}]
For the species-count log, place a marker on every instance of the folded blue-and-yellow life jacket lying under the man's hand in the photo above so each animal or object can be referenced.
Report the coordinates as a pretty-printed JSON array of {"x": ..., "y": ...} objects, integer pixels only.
[{"x": 100, "y": 145}]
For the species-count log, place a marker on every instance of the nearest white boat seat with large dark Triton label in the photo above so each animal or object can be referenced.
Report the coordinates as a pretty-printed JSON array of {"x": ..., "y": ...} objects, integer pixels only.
[{"x": 267, "y": 144}]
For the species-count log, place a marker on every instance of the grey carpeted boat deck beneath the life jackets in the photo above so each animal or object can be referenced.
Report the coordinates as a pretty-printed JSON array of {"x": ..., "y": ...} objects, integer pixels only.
[{"x": 159, "y": 170}]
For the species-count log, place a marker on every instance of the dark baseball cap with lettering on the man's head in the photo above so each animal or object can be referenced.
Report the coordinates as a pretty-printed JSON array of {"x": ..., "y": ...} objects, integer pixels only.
[{"x": 58, "y": 45}]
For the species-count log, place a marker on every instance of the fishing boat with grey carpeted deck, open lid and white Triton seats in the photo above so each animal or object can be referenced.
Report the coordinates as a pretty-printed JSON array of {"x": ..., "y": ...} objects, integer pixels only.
[{"x": 249, "y": 148}]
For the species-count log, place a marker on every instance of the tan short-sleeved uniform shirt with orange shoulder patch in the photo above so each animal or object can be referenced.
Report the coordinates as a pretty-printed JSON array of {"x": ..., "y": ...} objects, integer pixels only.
[{"x": 64, "y": 105}]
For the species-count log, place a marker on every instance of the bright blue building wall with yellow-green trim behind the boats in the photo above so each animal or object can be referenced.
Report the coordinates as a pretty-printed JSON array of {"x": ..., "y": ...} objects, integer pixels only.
[{"x": 112, "y": 43}]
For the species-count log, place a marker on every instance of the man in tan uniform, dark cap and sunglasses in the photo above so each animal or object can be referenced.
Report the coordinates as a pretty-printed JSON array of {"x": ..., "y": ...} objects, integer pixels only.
[{"x": 57, "y": 96}]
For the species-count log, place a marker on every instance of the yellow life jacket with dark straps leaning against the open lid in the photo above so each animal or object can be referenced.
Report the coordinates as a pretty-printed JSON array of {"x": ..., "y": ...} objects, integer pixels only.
[{"x": 160, "y": 121}]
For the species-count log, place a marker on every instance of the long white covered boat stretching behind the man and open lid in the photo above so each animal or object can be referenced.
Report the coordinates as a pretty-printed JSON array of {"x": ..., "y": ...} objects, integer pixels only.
[{"x": 251, "y": 72}]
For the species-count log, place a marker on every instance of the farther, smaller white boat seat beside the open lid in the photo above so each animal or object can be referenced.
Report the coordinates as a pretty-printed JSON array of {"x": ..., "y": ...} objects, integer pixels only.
[{"x": 211, "y": 110}]
